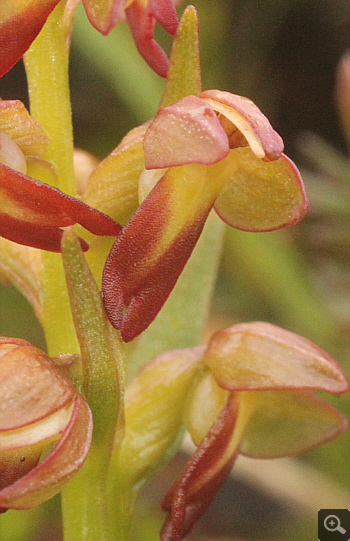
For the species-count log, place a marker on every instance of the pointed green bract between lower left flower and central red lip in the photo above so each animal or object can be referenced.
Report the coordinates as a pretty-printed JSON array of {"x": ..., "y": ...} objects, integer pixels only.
[{"x": 101, "y": 347}]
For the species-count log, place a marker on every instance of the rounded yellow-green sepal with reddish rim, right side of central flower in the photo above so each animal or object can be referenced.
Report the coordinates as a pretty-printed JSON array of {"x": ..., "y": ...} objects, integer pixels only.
[{"x": 259, "y": 195}]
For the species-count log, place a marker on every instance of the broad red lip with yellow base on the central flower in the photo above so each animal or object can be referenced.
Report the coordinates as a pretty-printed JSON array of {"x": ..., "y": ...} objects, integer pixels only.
[{"x": 153, "y": 248}]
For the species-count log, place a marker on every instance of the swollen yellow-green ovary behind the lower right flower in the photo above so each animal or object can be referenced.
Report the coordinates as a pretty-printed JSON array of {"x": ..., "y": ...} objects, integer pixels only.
[{"x": 155, "y": 403}]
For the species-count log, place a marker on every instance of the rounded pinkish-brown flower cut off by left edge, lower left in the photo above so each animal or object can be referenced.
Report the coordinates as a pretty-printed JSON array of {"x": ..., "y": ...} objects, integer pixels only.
[{"x": 40, "y": 411}]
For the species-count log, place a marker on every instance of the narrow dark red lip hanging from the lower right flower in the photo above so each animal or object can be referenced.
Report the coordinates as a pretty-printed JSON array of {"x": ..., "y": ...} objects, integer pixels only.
[{"x": 204, "y": 473}]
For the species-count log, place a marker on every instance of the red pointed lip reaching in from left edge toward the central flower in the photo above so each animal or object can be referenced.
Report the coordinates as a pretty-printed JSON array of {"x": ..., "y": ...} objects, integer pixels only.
[{"x": 32, "y": 212}]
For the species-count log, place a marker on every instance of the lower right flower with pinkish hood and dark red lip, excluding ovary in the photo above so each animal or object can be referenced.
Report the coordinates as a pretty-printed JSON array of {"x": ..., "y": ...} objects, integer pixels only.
[{"x": 254, "y": 398}]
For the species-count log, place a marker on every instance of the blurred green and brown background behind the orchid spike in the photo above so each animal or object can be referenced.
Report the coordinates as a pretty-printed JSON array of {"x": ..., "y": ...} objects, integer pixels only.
[{"x": 282, "y": 54}]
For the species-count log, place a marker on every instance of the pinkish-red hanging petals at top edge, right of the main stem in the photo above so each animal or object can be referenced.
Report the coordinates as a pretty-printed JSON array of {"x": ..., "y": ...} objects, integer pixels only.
[{"x": 142, "y": 21}]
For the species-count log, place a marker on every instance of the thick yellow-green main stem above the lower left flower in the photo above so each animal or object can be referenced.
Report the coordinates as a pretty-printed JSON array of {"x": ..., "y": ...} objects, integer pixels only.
[{"x": 46, "y": 65}]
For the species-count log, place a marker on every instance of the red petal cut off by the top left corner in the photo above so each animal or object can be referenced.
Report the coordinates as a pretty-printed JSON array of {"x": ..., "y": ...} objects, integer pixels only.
[{"x": 20, "y": 23}]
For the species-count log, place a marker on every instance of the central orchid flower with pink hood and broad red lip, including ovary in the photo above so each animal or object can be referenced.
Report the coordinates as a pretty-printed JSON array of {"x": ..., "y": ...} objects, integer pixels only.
[{"x": 211, "y": 150}]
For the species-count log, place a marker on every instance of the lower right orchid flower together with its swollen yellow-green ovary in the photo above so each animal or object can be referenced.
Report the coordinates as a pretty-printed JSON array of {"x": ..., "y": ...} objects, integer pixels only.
[{"x": 248, "y": 391}]
